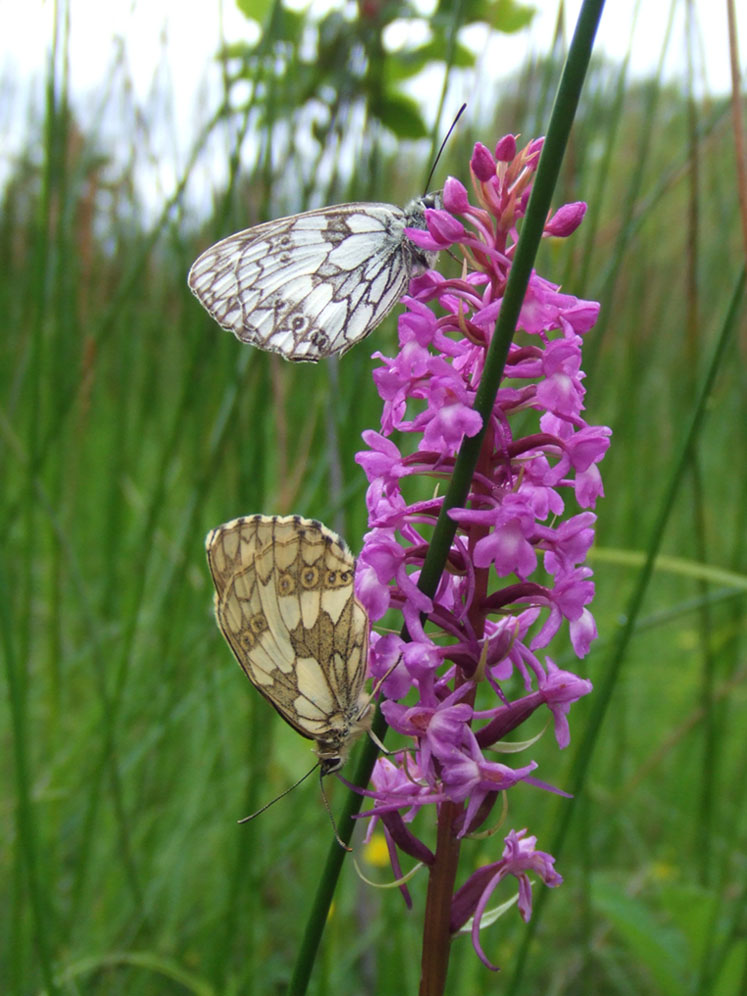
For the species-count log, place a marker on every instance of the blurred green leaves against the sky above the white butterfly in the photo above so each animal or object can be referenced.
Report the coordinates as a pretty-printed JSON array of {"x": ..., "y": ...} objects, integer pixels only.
[{"x": 338, "y": 63}]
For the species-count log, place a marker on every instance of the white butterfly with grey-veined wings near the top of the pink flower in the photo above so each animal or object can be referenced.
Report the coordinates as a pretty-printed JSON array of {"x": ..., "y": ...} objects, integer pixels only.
[{"x": 313, "y": 284}]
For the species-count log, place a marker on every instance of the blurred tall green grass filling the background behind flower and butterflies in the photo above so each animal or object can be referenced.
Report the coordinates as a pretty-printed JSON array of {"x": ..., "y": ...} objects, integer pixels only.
[{"x": 130, "y": 425}]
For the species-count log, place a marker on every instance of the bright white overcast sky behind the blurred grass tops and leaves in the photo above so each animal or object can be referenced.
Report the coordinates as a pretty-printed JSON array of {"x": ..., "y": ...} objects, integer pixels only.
[{"x": 173, "y": 41}]
